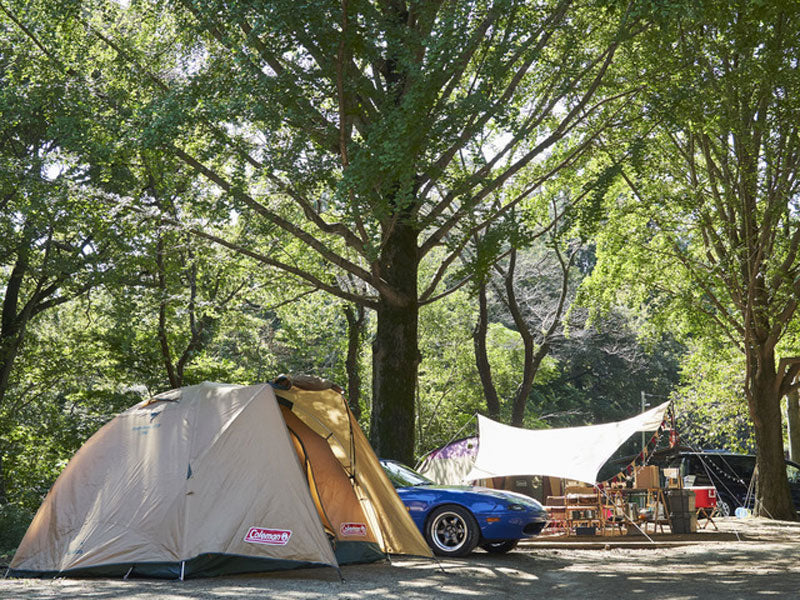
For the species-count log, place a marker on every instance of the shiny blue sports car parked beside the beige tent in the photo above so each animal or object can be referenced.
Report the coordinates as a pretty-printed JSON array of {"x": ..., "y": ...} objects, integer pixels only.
[{"x": 456, "y": 519}]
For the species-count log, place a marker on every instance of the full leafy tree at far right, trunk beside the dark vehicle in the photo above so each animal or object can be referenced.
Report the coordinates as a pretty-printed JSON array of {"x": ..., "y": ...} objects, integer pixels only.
[{"x": 704, "y": 229}]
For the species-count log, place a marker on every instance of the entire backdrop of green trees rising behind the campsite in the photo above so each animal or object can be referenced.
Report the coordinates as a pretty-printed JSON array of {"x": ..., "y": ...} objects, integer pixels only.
[{"x": 533, "y": 209}]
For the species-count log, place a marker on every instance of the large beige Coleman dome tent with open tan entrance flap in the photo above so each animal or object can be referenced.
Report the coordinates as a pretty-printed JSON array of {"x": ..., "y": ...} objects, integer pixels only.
[{"x": 214, "y": 479}]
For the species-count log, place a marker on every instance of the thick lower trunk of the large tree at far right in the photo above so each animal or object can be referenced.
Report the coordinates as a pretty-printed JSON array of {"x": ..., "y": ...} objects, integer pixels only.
[{"x": 772, "y": 487}]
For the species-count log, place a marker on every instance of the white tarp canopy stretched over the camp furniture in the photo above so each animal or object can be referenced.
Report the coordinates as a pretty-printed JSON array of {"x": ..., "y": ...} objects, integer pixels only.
[{"x": 571, "y": 453}]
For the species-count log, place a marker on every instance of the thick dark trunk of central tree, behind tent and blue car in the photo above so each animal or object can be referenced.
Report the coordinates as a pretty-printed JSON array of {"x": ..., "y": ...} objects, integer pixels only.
[{"x": 395, "y": 355}]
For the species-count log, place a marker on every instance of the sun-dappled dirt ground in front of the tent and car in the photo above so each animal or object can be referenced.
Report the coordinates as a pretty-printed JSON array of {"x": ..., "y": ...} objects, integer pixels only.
[{"x": 761, "y": 561}]
